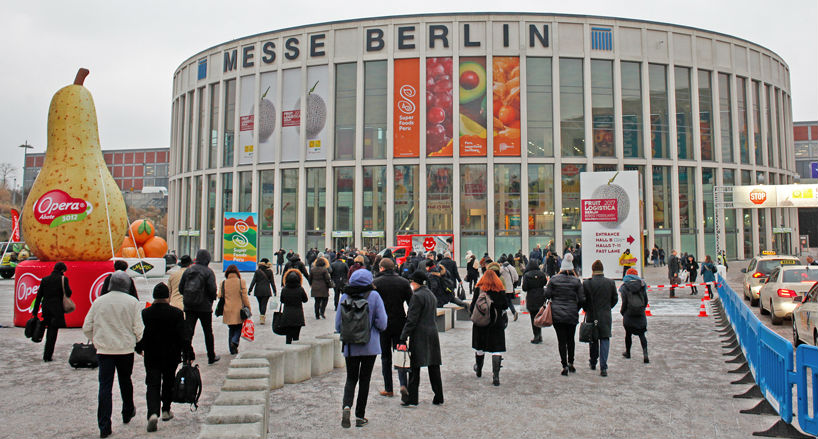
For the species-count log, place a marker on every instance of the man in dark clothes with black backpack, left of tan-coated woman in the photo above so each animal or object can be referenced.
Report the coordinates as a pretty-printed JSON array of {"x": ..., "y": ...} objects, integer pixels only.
[{"x": 198, "y": 288}]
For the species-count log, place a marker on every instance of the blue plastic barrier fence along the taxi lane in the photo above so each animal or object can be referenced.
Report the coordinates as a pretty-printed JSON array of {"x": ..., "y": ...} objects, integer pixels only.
[{"x": 776, "y": 366}]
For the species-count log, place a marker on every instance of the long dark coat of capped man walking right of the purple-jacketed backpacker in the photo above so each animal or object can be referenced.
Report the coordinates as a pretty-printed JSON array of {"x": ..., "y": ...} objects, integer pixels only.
[{"x": 421, "y": 329}]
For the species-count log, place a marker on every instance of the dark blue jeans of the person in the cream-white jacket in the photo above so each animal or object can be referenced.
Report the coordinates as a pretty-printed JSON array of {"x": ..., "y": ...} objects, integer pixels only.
[{"x": 123, "y": 365}]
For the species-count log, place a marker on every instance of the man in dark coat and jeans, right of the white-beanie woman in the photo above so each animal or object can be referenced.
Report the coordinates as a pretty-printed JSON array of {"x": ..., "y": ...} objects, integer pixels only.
[{"x": 600, "y": 298}]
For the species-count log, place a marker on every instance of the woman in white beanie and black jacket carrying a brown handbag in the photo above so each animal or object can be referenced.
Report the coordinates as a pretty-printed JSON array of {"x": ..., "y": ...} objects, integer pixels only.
[{"x": 565, "y": 292}]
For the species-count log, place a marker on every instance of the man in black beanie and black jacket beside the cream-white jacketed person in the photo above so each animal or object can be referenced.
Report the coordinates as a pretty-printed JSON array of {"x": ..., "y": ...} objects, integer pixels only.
[{"x": 164, "y": 344}]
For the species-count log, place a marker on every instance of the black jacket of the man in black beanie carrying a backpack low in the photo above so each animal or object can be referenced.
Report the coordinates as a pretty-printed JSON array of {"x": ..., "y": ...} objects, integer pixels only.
[{"x": 165, "y": 337}]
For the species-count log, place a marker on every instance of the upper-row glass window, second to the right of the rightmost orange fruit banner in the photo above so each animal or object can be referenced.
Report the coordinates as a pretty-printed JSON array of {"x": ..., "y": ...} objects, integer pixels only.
[{"x": 572, "y": 108}]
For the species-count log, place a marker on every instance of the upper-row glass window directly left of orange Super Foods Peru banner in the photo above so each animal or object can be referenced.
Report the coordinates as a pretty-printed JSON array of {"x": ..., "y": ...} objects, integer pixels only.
[{"x": 375, "y": 109}]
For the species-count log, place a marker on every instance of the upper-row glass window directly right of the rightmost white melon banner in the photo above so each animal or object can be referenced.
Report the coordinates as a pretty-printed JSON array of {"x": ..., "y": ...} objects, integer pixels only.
[{"x": 345, "y": 110}]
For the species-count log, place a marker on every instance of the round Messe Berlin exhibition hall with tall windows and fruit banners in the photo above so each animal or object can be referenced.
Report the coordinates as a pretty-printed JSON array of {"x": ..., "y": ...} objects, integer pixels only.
[{"x": 353, "y": 132}]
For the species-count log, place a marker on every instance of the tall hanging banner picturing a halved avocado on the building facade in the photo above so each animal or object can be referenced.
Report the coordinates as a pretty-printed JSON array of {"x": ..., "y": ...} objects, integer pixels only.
[{"x": 473, "y": 106}]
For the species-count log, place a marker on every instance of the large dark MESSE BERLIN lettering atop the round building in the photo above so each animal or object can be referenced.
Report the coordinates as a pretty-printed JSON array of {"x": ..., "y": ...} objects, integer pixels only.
[{"x": 374, "y": 42}]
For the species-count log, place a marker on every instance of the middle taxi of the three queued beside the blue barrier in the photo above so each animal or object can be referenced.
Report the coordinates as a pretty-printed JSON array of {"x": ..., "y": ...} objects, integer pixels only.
[{"x": 785, "y": 283}]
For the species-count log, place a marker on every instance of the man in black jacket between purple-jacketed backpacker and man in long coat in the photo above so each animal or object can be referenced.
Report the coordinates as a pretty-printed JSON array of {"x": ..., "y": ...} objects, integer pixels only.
[{"x": 395, "y": 291}]
